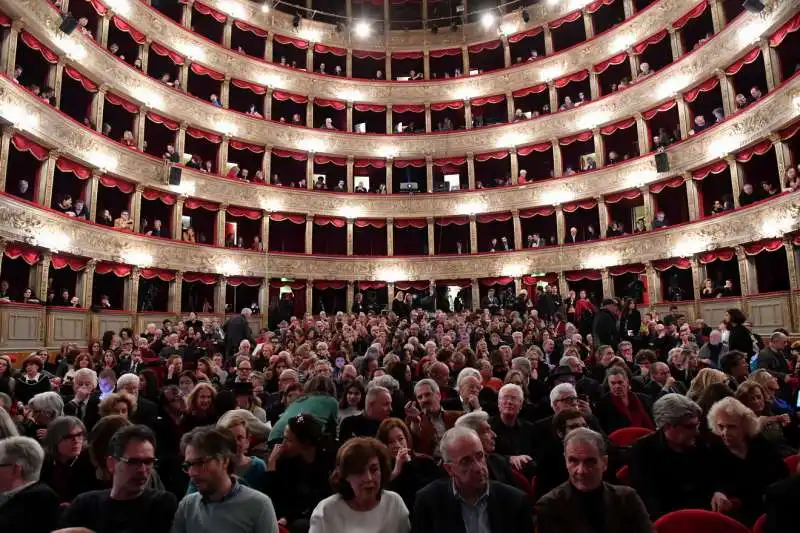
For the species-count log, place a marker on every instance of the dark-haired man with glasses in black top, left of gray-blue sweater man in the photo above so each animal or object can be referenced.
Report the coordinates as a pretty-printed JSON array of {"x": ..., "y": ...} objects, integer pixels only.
[{"x": 129, "y": 506}]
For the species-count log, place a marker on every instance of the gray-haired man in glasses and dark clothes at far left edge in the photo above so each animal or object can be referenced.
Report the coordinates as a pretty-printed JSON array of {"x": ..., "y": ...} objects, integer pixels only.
[{"x": 26, "y": 506}]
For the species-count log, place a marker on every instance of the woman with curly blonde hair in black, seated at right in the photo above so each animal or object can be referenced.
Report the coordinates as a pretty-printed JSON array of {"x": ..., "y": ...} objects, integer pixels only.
[{"x": 747, "y": 463}]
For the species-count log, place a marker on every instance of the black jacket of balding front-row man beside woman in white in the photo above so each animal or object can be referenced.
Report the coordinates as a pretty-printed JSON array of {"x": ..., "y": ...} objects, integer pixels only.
[{"x": 437, "y": 510}]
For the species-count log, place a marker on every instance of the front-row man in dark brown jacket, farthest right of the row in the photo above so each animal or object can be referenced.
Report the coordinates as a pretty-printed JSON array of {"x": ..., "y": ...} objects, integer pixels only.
[{"x": 585, "y": 502}]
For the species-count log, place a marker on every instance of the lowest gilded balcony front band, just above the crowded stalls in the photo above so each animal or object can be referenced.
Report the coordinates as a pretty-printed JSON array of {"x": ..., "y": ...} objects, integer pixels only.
[{"x": 19, "y": 222}]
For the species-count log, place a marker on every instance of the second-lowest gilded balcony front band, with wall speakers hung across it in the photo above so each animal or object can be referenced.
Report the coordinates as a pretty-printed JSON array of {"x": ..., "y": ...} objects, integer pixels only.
[{"x": 54, "y": 130}]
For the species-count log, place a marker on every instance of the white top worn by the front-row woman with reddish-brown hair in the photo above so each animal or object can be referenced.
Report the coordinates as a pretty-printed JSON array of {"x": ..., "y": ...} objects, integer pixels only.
[{"x": 333, "y": 515}]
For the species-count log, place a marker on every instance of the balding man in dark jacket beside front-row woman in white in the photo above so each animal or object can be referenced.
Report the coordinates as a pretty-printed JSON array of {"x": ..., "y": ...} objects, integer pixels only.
[{"x": 469, "y": 501}]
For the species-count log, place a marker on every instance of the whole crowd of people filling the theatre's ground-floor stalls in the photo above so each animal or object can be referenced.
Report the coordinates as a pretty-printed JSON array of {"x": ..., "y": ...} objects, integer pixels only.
[{"x": 494, "y": 420}]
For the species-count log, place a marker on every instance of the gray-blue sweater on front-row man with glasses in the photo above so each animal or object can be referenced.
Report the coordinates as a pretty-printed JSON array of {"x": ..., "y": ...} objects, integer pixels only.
[{"x": 244, "y": 511}]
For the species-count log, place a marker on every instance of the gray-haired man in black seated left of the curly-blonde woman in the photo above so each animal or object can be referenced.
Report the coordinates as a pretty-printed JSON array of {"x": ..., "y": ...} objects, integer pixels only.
[{"x": 668, "y": 469}]
